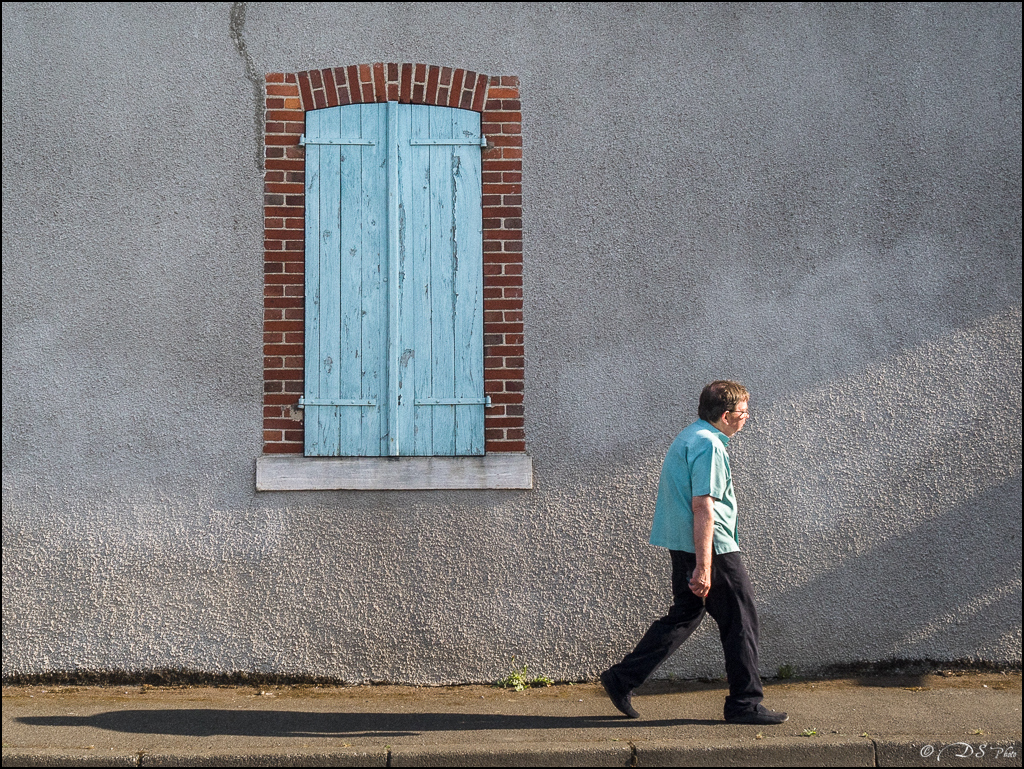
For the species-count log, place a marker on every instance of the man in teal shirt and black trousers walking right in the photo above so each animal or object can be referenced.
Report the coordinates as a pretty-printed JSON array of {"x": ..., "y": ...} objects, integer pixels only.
[{"x": 696, "y": 520}]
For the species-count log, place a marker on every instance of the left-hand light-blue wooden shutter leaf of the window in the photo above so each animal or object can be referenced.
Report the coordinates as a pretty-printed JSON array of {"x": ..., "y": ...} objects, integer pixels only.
[{"x": 347, "y": 315}]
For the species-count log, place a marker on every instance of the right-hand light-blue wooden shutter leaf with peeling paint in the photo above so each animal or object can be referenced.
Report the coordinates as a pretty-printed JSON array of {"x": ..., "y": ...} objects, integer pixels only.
[{"x": 441, "y": 278}]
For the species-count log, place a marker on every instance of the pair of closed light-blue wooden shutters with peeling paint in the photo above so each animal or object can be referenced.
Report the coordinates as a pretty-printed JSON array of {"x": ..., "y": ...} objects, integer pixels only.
[{"x": 395, "y": 283}]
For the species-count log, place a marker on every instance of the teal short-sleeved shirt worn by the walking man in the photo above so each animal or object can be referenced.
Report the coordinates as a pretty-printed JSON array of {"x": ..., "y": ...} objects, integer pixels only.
[{"x": 697, "y": 464}]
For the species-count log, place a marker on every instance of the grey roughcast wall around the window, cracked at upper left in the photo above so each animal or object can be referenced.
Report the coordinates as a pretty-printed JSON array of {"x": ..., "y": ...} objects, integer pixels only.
[{"x": 824, "y": 202}]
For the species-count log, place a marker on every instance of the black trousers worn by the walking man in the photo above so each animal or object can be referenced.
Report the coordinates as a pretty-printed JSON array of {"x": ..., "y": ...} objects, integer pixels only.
[{"x": 731, "y": 603}]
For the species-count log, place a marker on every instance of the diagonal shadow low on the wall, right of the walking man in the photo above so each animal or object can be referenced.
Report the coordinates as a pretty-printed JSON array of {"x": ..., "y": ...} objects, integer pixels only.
[{"x": 946, "y": 590}]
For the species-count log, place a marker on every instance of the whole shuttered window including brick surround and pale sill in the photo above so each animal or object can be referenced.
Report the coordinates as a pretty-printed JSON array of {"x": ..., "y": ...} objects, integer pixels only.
[{"x": 448, "y": 410}]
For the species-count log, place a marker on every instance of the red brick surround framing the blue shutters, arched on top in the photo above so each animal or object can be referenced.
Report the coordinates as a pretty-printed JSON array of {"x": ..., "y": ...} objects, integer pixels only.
[{"x": 289, "y": 97}]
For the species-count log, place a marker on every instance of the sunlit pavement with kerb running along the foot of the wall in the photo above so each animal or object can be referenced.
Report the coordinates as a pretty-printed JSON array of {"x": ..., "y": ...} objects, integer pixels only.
[{"x": 972, "y": 719}]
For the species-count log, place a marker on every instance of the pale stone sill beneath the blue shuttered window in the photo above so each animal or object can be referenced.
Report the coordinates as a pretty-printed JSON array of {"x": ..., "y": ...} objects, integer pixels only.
[{"x": 291, "y": 474}]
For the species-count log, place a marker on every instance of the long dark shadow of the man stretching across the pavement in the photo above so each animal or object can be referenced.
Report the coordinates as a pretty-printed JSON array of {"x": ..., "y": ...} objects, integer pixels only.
[{"x": 208, "y": 723}]
